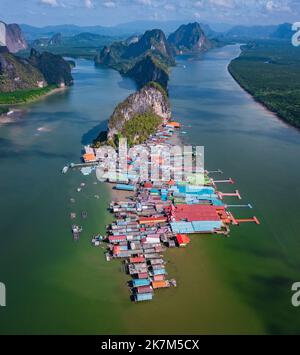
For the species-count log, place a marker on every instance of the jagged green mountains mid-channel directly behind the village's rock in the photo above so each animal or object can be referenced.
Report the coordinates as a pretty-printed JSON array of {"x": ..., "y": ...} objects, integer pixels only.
[{"x": 147, "y": 58}]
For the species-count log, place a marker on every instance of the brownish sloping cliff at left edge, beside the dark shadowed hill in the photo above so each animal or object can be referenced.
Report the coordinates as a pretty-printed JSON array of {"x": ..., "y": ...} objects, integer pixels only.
[{"x": 17, "y": 73}]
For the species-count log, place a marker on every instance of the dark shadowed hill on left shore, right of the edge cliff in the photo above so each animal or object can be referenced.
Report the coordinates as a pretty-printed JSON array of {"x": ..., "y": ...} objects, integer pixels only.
[{"x": 54, "y": 68}]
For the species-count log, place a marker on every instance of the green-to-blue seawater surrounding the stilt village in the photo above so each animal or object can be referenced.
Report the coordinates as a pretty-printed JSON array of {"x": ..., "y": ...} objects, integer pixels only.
[{"x": 240, "y": 284}]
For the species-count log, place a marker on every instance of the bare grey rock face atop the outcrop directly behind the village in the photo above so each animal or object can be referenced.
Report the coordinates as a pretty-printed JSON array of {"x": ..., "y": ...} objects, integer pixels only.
[{"x": 150, "y": 99}]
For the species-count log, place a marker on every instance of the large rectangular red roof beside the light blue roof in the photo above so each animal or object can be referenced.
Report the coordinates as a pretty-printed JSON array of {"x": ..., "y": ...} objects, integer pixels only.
[{"x": 191, "y": 213}]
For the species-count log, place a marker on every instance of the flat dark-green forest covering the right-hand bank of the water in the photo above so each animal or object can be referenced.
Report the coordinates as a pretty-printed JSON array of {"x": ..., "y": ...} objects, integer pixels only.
[{"x": 269, "y": 71}]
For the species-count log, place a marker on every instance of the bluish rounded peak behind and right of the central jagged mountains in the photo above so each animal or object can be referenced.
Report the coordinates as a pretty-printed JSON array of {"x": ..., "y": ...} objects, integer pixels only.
[{"x": 189, "y": 38}]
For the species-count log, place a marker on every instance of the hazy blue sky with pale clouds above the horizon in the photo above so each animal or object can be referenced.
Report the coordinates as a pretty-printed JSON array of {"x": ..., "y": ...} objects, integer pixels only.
[{"x": 111, "y": 12}]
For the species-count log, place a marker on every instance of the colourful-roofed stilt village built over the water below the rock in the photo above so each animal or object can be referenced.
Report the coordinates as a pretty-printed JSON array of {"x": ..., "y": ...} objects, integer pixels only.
[{"x": 159, "y": 214}]
